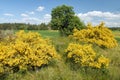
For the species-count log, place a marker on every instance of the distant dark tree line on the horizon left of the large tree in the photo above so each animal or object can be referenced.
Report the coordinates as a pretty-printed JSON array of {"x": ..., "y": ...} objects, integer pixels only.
[{"x": 24, "y": 26}]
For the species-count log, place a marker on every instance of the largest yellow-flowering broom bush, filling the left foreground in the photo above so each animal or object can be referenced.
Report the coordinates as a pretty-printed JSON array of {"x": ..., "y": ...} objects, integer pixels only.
[{"x": 28, "y": 50}]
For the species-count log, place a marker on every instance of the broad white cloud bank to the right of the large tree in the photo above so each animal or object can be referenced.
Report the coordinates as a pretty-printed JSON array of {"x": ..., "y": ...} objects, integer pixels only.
[{"x": 111, "y": 19}]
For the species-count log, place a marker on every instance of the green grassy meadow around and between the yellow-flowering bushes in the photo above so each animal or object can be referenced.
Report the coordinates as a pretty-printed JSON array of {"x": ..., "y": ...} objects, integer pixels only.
[{"x": 60, "y": 70}]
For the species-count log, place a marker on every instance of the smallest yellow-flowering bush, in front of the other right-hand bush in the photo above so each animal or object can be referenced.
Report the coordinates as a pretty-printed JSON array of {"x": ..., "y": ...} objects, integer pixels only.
[{"x": 84, "y": 55}]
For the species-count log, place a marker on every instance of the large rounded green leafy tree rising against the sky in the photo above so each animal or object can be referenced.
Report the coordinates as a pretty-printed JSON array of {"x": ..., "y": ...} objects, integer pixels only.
[{"x": 64, "y": 19}]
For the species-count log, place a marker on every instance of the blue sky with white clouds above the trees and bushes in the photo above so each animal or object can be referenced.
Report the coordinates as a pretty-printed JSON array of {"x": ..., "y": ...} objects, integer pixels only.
[{"x": 38, "y": 11}]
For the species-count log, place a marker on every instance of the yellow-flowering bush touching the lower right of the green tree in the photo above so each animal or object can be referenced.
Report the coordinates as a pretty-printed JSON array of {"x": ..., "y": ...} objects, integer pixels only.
[{"x": 99, "y": 35}]
